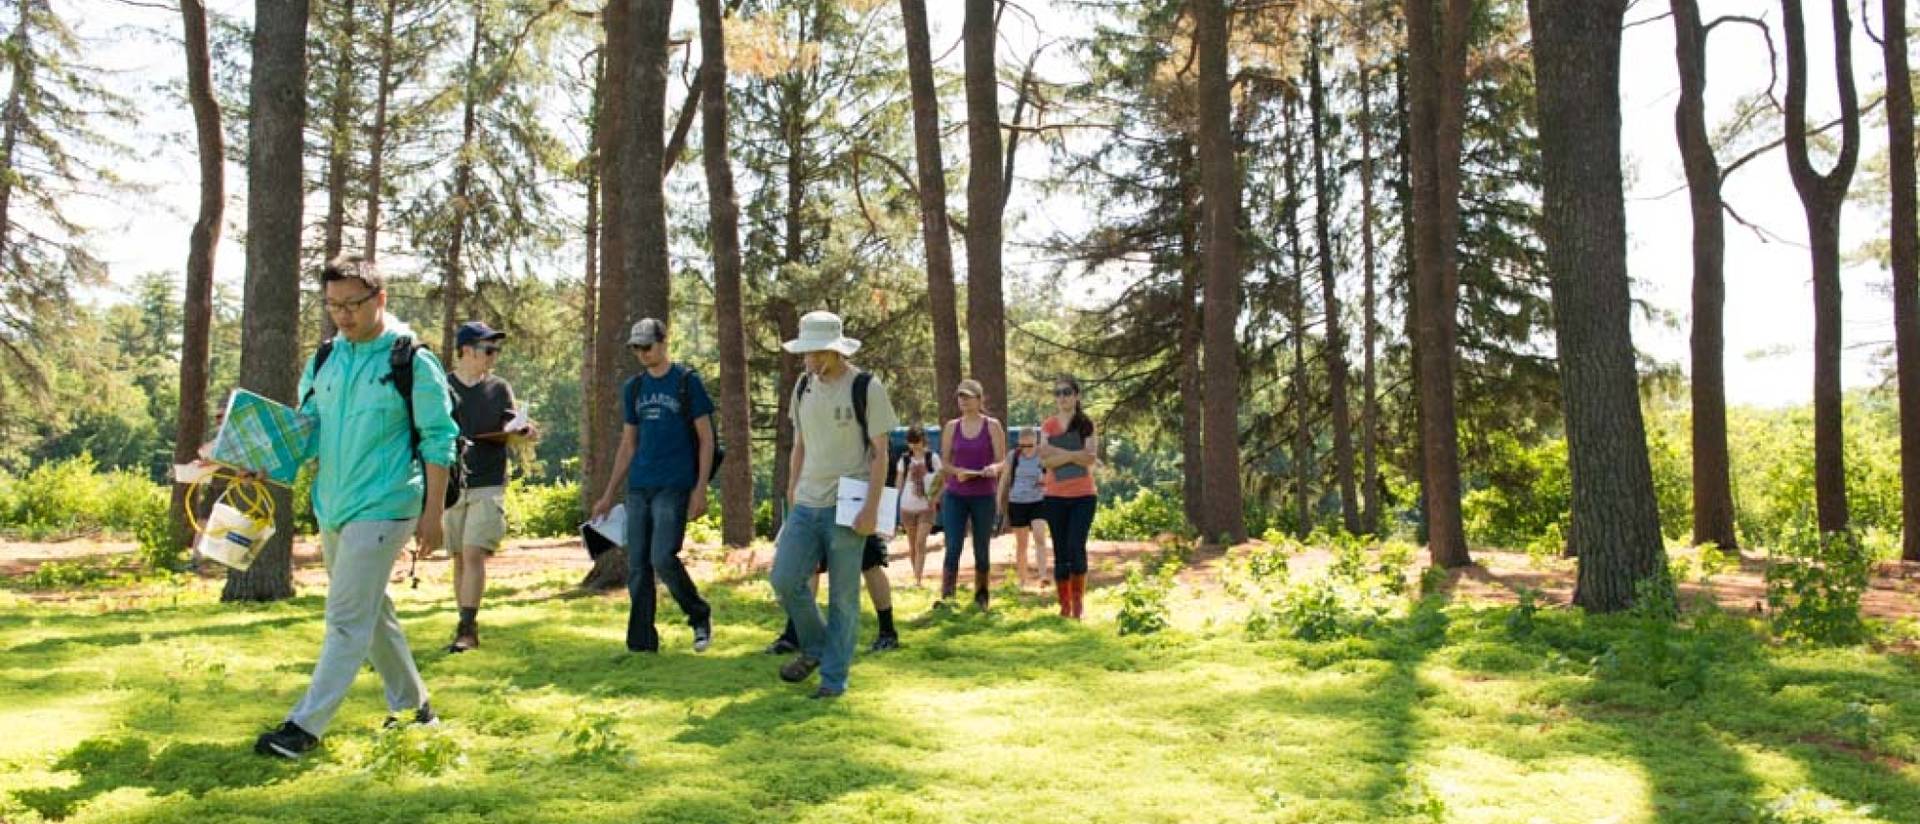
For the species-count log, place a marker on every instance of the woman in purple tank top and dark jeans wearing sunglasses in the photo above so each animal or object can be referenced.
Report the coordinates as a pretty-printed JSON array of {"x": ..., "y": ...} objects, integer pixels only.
[{"x": 976, "y": 452}]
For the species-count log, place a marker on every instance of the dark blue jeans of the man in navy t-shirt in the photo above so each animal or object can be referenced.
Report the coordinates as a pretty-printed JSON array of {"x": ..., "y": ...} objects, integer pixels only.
[{"x": 656, "y": 525}]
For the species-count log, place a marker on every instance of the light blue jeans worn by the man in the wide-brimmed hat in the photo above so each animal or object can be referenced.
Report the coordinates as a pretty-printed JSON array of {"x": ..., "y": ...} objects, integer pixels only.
[{"x": 805, "y": 539}]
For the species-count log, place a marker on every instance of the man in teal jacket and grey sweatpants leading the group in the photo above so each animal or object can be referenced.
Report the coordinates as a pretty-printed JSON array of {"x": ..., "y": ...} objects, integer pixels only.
[{"x": 370, "y": 497}]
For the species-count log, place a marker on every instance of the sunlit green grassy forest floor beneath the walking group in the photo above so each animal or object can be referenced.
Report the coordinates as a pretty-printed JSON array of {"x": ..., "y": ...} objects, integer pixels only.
[{"x": 137, "y": 702}]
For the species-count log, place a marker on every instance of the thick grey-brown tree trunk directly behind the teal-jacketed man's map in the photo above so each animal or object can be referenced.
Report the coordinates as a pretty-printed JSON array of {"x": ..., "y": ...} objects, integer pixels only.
[{"x": 270, "y": 343}]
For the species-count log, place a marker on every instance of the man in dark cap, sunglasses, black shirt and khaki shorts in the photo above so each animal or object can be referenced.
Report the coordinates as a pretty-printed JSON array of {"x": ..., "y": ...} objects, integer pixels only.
[{"x": 477, "y": 523}]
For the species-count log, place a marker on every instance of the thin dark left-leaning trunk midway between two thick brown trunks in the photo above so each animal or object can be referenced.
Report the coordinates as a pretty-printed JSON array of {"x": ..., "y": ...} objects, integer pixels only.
[{"x": 1343, "y": 418}]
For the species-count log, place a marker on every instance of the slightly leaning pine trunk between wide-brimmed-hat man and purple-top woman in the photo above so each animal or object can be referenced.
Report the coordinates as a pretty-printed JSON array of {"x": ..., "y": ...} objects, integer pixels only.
[{"x": 932, "y": 174}]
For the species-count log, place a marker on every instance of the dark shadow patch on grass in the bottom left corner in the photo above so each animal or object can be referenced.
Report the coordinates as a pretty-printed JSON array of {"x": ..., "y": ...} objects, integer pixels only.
[{"x": 193, "y": 769}]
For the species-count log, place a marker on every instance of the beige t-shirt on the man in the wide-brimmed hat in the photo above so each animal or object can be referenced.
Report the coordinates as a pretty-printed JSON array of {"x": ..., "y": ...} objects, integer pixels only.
[{"x": 832, "y": 435}]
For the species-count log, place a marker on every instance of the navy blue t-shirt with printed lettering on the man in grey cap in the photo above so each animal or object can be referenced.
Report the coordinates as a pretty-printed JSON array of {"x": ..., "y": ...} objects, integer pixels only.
[{"x": 663, "y": 445}]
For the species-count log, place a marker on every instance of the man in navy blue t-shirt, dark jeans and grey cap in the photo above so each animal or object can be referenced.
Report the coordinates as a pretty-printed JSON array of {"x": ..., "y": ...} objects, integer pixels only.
[{"x": 667, "y": 456}]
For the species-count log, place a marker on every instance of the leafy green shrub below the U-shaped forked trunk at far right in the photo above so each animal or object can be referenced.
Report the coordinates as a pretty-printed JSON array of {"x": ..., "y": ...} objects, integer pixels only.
[{"x": 1815, "y": 585}]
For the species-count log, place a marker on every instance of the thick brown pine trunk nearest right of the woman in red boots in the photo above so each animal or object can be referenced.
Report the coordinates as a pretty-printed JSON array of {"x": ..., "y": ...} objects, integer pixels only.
[{"x": 1220, "y": 182}]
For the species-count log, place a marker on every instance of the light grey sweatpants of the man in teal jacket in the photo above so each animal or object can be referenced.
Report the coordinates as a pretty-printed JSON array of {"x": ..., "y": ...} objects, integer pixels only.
[{"x": 360, "y": 623}]
